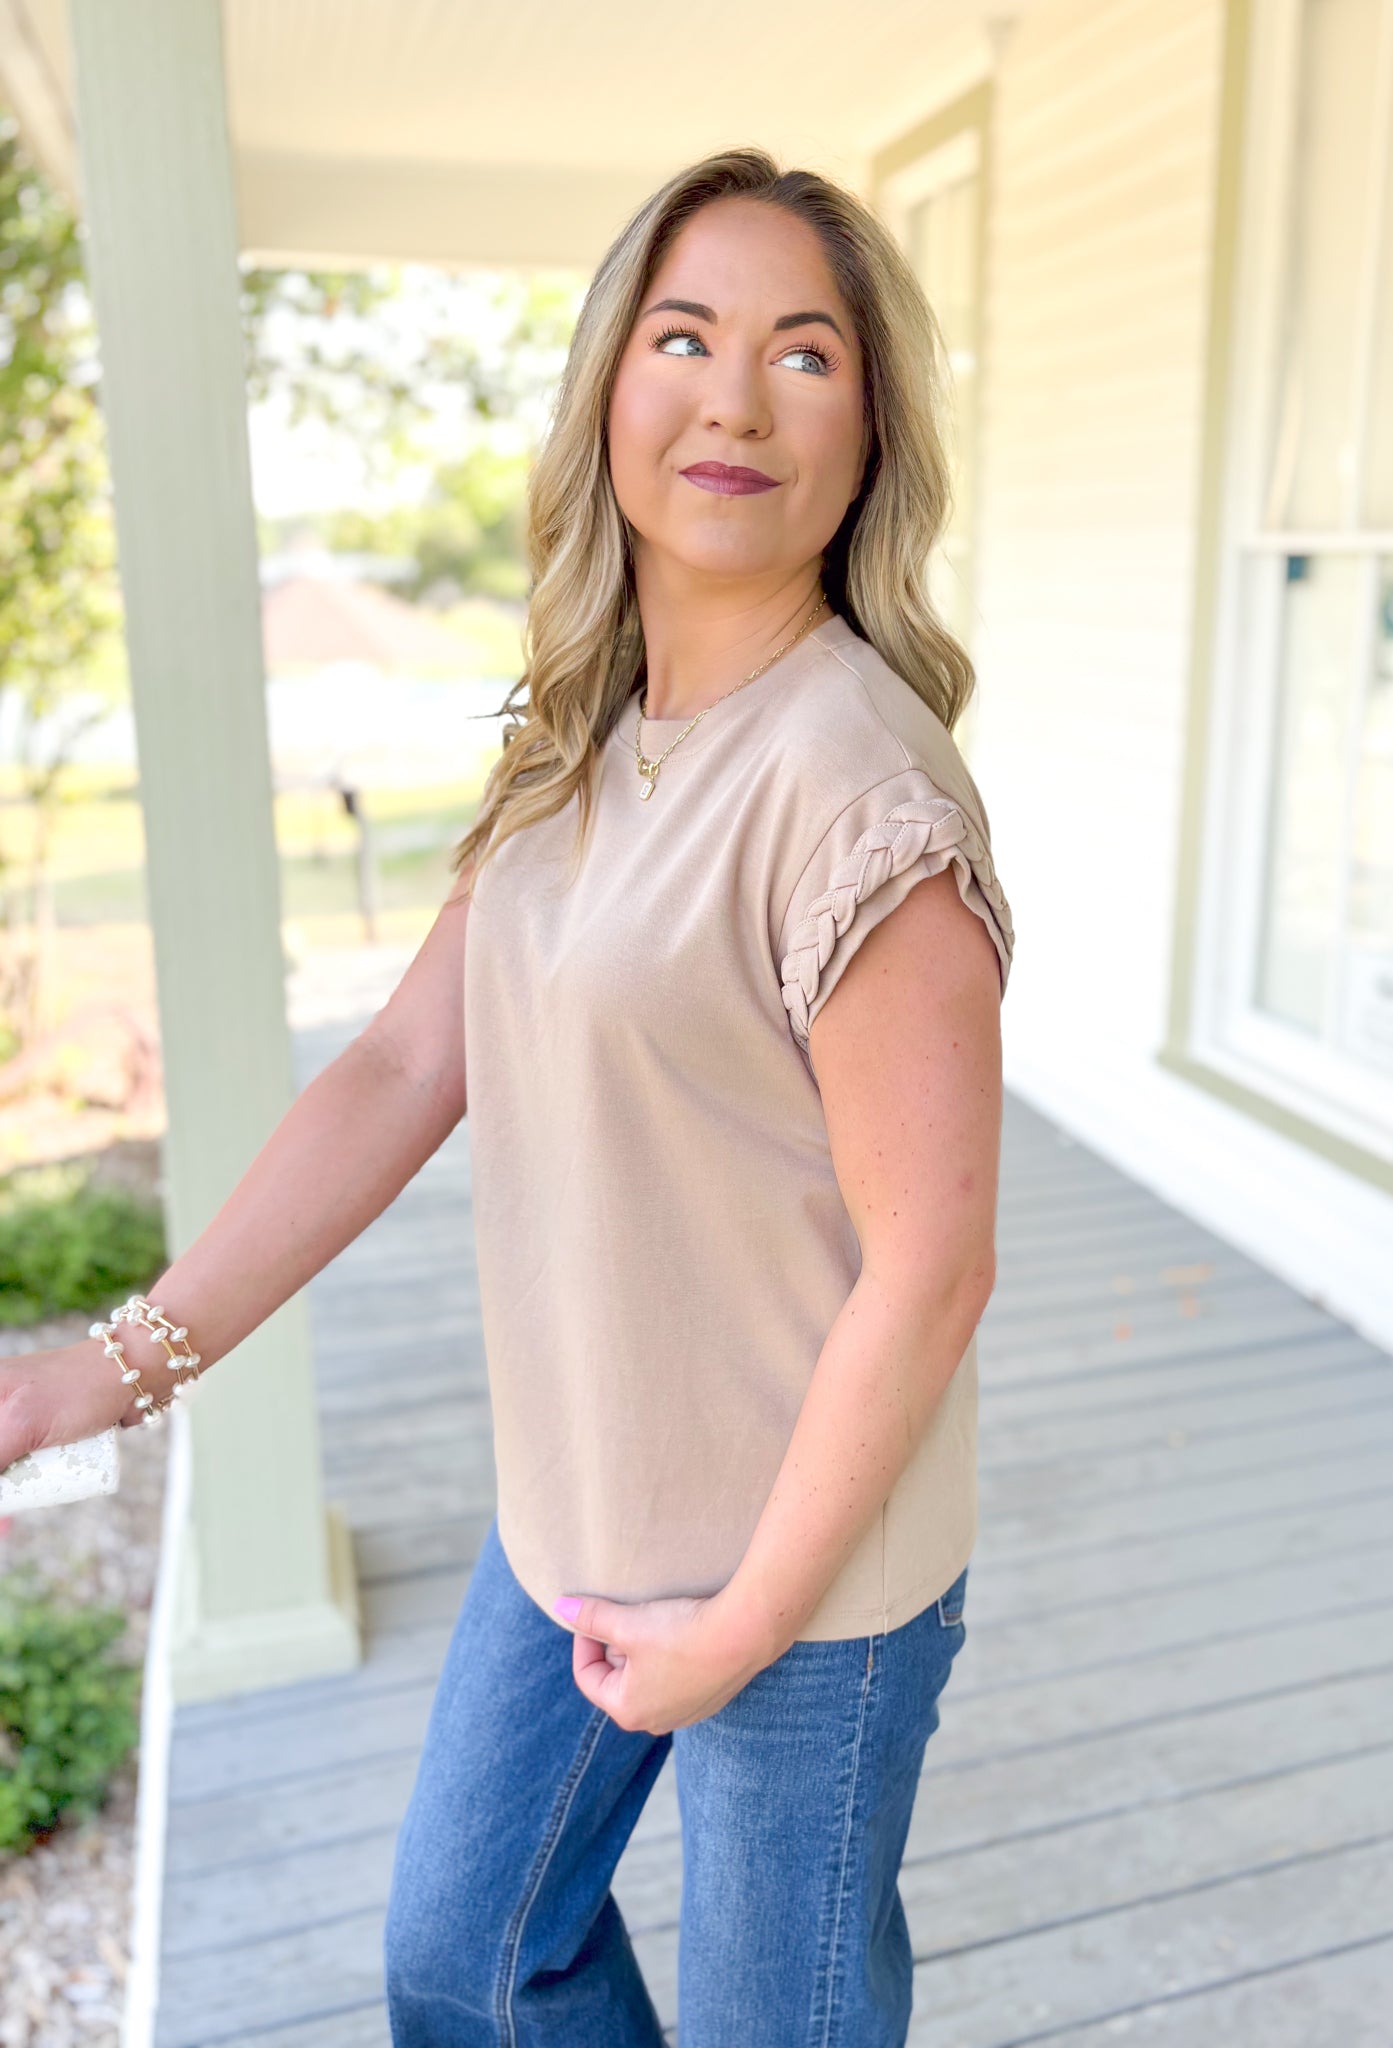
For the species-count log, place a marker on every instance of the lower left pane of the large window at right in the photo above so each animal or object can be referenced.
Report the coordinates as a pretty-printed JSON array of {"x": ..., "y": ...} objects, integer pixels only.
[{"x": 1304, "y": 910}]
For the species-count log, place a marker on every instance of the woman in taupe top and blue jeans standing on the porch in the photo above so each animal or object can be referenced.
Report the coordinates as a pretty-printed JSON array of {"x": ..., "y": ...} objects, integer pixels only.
[{"x": 732, "y": 955}]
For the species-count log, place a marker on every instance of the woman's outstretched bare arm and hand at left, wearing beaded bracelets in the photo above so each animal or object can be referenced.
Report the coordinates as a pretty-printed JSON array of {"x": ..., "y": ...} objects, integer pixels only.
[{"x": 339, "y": 1156}]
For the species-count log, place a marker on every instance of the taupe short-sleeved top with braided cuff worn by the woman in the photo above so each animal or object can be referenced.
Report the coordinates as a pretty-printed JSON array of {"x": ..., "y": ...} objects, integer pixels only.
[{"x": 661, "y": 1236}]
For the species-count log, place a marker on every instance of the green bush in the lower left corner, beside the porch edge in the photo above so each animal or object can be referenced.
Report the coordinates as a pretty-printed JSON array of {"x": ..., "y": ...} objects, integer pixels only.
[{"x": 67, "y": 1711}]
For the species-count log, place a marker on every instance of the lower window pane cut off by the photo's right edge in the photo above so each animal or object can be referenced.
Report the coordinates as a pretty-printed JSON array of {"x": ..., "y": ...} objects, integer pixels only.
[{"x": 1367, "y": 1007}]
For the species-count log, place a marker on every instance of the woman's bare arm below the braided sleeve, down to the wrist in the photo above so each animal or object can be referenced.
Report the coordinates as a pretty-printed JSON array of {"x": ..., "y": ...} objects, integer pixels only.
[{"x": 909, "y": 1060}]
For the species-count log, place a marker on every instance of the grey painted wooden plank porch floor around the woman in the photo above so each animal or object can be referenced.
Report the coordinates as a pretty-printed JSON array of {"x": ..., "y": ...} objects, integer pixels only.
[{"x": 1160, "y": 1799}]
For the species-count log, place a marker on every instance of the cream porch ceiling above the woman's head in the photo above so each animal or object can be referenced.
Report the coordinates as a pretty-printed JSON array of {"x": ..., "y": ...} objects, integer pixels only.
[{"x": 521, "y": 130}]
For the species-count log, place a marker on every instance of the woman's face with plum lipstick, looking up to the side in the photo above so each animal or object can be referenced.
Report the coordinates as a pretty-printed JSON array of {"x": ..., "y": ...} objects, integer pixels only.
[{"x": 736, "y": 417}]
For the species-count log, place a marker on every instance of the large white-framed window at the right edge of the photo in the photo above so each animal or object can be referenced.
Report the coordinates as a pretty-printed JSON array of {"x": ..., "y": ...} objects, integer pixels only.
[{"x": 1298, "y": 894}]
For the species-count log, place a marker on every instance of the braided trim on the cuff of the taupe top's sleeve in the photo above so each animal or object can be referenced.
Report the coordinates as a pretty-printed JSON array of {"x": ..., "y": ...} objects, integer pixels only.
[{"x": 929, "y": 830}]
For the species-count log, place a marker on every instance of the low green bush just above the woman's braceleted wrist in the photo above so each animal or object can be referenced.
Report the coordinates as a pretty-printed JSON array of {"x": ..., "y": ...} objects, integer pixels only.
[{"x": 67, "y": 1244}]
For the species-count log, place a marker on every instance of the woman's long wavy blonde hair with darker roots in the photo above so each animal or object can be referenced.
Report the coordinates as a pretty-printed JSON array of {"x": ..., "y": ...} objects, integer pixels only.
[{"x": 585, "y": 640}]
